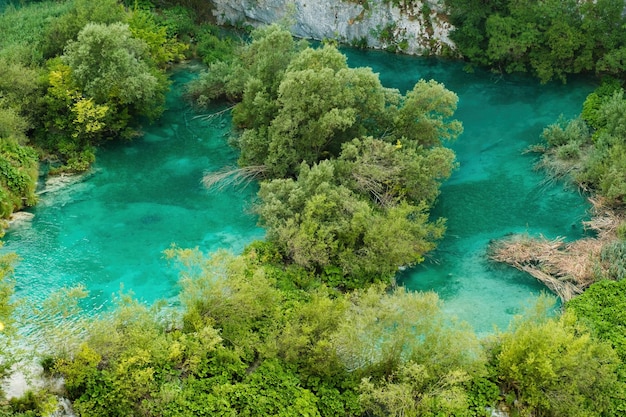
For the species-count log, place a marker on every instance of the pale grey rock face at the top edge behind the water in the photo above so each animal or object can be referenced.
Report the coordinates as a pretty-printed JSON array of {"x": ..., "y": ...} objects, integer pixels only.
[{"x": 415, "y": 27}]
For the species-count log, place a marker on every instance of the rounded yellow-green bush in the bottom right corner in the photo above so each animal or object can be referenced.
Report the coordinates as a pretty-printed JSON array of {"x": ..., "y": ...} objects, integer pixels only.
[{"x": 554, "y": 367}]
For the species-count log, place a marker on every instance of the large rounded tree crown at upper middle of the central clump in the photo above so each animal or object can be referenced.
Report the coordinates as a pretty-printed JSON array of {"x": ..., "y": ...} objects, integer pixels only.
[{"x": 318, "y": 110}]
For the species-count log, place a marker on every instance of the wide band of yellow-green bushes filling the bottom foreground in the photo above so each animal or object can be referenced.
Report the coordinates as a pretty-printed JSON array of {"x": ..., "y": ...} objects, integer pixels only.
[{"x": 242, "y": 346}]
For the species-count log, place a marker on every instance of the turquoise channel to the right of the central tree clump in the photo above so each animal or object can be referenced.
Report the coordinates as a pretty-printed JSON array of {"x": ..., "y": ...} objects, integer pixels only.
[{"x": 495, "y": 191}]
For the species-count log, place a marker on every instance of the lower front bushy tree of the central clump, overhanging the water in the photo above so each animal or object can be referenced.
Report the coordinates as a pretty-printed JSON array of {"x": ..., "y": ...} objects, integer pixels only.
[{"x": 318, "y": 224}]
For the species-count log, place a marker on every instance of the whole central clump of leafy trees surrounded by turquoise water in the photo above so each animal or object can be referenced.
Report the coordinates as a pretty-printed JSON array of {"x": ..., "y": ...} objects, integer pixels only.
[{"x": 350, "y": 167}]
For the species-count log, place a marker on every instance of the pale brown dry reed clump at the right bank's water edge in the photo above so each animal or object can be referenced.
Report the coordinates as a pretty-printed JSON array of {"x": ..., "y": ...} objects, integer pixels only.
[{"x": 565, "y": 268}]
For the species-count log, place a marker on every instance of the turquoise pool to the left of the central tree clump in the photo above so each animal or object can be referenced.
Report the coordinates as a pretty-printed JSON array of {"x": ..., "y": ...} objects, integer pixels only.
[{"x": 110, "y": 230}]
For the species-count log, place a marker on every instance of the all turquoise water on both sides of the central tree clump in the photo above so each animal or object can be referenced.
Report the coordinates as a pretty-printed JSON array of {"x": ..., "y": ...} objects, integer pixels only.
[{"x": 111, "y": 229}]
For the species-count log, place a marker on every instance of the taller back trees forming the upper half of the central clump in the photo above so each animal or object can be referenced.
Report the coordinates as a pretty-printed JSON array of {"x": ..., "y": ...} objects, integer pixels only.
[{"x": 321, "y": 104}]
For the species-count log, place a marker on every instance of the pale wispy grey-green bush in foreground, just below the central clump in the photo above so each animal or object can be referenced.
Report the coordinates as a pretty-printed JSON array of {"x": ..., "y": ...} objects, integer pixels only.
[{"x": 383, "y": 332}]
